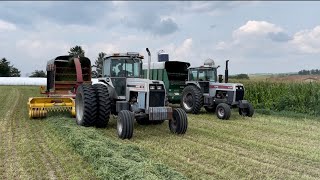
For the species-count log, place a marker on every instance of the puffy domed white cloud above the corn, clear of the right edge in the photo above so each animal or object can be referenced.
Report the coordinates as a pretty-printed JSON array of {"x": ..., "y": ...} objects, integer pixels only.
[{"x": 256, "y": 38}]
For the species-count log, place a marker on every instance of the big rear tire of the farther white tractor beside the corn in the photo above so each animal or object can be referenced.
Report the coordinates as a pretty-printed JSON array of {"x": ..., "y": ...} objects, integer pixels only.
[{"x": 192, "y": 99}]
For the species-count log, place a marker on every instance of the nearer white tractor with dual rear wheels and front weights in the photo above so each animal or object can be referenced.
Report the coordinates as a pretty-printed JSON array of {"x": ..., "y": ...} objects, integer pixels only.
[{"x": 123, "y": 92}]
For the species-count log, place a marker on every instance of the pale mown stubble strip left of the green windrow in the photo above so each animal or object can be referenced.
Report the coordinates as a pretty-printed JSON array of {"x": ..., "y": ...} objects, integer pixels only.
[{"x": 28, "y": 148}]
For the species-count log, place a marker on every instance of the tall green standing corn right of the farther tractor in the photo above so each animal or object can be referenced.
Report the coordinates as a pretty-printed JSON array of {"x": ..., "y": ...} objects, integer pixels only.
[{"x": 298, "y": 97}]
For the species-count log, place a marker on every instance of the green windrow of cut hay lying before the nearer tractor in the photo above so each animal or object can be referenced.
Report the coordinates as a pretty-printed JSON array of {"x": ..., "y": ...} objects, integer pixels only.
[{"x": 111, "y": 159}]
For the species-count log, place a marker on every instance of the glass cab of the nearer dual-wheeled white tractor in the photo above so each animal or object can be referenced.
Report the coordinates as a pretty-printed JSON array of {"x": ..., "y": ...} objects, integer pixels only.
[{"x": 120, "y": 66}]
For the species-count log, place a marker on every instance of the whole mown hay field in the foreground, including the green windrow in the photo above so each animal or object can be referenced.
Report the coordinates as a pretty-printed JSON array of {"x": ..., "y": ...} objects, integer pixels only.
[{"x": 262, "y": 147}]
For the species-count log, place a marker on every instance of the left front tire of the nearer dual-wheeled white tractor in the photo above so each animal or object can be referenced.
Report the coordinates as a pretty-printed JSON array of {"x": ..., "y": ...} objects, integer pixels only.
[{"x": 125, "y": 124}]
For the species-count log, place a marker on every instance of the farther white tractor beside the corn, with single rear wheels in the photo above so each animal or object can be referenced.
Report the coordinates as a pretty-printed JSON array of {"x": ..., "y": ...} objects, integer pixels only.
[{"x": 205, "y": 90}]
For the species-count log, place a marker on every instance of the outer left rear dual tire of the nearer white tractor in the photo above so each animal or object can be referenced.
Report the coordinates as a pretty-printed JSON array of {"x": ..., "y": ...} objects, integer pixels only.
[{"x": 86, "y": 105}]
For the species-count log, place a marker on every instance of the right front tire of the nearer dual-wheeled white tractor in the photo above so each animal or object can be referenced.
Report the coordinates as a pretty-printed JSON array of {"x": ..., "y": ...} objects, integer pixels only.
[{"x": 179, "y": 122}]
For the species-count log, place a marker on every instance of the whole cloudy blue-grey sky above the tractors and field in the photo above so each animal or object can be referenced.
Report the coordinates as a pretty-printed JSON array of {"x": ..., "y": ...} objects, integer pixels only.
[{"x": 257, "y": 37}]
